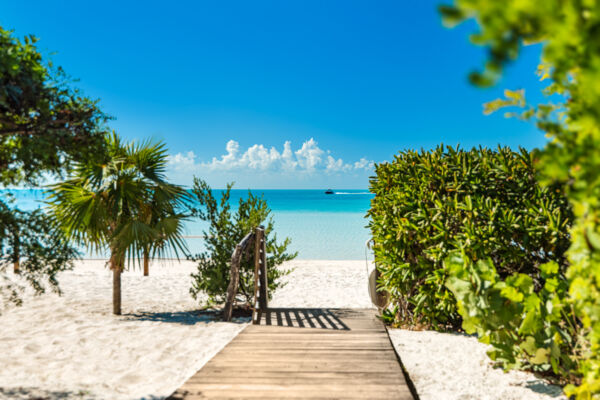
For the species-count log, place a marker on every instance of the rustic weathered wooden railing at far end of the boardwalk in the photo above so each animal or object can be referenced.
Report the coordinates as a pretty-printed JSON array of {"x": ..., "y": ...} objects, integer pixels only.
[{"x": 254, "y": 242}]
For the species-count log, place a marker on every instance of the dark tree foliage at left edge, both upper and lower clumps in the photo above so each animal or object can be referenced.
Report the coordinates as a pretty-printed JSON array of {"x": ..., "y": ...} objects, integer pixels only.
[{"x": 46, "y": 124}]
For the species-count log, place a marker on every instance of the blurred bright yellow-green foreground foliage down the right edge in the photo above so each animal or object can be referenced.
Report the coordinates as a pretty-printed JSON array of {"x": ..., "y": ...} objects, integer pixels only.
[{"x": 568, "y": 31}]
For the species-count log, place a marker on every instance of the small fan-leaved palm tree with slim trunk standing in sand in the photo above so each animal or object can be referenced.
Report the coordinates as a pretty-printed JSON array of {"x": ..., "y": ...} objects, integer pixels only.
[{"x": 105, "y": 204}]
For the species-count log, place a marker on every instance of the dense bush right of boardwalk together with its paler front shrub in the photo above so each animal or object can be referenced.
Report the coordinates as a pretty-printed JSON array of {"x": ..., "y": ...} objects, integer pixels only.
[{"x": 471, "y": 240}]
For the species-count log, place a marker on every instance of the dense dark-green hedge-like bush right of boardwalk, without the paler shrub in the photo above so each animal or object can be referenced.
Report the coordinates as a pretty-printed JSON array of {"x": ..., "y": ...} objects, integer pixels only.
[{"x": 485, "y": 202}]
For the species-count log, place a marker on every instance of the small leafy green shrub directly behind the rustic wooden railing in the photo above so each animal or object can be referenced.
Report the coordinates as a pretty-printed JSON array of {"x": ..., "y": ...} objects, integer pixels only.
[{"x": 226, "y": 230}]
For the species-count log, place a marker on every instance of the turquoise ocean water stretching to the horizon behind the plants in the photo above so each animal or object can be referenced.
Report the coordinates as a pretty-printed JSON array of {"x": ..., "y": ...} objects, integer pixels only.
[{"x": 321, "y": 226}]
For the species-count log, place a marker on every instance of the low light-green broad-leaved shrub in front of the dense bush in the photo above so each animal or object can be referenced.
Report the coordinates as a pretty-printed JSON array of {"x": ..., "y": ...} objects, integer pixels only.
[{"x": 528, "y": 327}]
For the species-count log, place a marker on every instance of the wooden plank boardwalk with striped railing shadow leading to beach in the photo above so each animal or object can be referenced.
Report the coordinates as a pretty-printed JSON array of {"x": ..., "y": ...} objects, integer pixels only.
[{"x": 304, "y": 354}]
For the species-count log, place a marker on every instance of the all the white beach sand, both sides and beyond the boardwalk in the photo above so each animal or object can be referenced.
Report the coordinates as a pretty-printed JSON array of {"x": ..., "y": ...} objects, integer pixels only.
[{"x": 72, "y": 347}]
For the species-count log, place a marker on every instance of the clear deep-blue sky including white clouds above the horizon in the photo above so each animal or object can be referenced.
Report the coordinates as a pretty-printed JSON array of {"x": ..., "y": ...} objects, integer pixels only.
[{"x": 227, "y": 84}]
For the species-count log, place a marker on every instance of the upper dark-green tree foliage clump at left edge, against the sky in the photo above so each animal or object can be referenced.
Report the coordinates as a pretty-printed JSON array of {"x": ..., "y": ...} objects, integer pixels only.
[{"x": 44, "y": 122}]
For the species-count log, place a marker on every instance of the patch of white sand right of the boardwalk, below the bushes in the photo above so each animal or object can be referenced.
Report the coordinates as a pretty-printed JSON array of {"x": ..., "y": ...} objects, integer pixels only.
[{"x": 455, "y": 367}]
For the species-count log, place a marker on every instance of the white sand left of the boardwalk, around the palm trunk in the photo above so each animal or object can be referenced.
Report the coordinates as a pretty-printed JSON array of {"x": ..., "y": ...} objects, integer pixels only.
[{"x": 72, "y": 347}]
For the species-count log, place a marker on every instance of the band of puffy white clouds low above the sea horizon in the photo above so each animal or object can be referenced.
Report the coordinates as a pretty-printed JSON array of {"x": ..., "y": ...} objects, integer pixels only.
[{"x": 309, "y": 158}]
